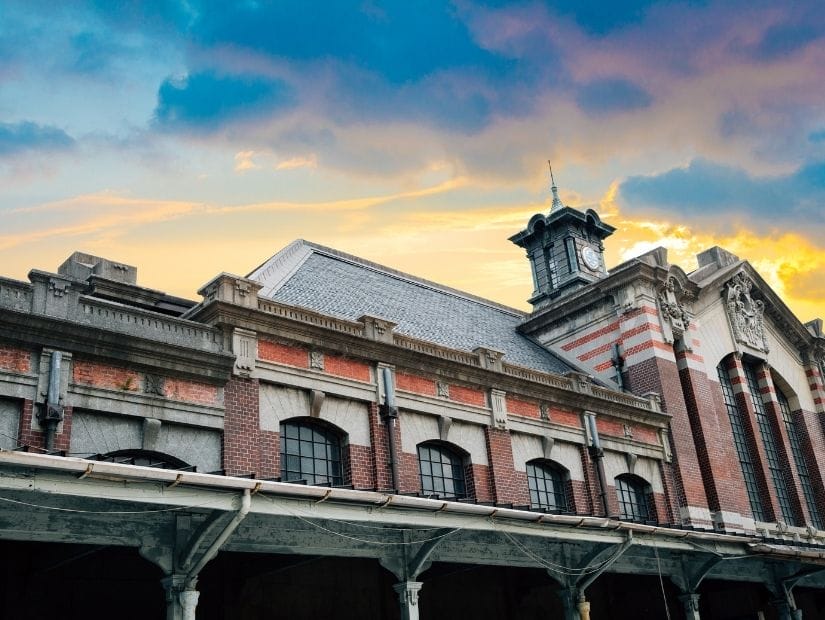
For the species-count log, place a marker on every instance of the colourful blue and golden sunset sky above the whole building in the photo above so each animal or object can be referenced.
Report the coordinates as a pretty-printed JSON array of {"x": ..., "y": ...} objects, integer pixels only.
[{"x": 194, "y": 137}]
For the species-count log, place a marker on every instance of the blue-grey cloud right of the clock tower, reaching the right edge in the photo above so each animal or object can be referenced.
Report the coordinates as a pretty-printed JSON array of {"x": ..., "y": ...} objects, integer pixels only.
[{"x": 706, "y": 188}]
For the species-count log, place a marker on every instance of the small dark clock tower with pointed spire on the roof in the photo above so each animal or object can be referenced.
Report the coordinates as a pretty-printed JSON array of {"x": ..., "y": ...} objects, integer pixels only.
[{"x": 565, "y": 249}]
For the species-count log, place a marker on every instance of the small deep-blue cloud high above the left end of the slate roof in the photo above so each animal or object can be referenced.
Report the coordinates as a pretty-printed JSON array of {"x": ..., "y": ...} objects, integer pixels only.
[{"x": 205, "y": 99}]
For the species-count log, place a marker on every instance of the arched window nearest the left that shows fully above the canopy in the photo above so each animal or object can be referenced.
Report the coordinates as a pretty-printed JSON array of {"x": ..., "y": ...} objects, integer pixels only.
[{"x": 310, "y": 452}]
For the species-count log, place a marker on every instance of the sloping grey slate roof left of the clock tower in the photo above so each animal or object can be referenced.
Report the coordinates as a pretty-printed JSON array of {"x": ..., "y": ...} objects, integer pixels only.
[{"x": 330, "y": 282}]
